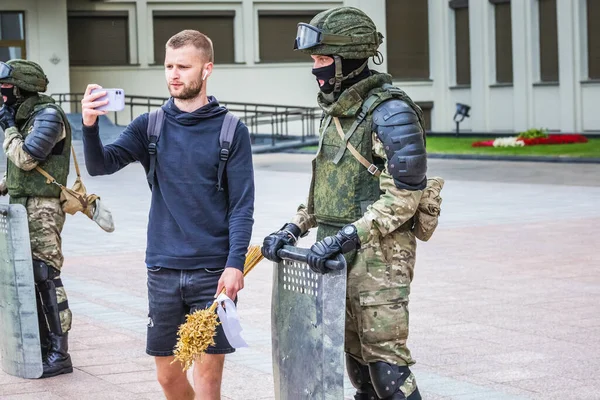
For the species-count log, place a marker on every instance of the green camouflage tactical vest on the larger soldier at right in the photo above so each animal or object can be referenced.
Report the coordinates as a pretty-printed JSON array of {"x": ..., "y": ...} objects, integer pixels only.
[{"x": 340, "y": 192}]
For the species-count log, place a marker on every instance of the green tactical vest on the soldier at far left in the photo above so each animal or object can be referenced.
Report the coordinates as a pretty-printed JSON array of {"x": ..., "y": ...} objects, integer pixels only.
[{"x": 22, "y": 184}]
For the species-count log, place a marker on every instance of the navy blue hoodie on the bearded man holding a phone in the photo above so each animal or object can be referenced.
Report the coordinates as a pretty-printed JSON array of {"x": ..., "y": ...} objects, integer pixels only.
[{"x": 191, "y": 224}]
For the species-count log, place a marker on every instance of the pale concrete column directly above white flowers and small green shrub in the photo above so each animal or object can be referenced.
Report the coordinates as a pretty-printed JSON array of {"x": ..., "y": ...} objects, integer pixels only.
[{"x": 522, "y": 61}]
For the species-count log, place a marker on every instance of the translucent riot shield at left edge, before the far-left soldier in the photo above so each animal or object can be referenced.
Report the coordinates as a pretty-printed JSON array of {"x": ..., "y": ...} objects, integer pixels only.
[{"x": 19, "y": 333}]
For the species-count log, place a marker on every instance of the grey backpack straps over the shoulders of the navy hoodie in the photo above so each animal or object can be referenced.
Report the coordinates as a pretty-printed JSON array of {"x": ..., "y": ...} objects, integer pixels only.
[{"x": 155, "y": 122}]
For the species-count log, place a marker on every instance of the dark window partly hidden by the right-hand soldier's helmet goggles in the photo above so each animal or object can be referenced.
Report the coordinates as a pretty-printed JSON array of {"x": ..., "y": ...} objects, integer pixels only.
[{"x": 276, "y": 33}]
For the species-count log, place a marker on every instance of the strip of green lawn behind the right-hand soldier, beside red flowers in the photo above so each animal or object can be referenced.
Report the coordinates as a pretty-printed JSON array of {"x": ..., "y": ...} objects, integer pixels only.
[{"x": 451, "y": 145}]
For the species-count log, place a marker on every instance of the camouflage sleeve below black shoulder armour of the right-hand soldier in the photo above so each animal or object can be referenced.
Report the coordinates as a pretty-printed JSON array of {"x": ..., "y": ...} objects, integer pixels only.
[{"x": 394, "y": 207}]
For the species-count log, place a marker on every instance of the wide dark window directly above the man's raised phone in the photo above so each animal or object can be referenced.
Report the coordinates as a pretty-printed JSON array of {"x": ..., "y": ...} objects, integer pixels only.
[{"x": 98, "y": 38}]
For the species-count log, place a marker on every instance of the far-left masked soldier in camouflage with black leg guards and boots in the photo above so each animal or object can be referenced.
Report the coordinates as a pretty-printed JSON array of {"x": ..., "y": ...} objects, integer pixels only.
[{"x": 37, "y": 133}]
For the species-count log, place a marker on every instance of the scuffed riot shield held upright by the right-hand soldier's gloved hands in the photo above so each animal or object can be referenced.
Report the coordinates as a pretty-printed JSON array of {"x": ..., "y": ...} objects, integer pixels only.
[{"x": 308, "y": 315}]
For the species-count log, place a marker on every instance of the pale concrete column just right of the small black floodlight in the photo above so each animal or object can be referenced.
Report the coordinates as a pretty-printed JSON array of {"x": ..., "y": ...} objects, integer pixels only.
[{"x": 480, "y": 13}]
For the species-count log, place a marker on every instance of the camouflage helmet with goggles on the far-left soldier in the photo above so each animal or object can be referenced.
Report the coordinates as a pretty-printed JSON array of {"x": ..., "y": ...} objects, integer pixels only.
[{"x": 24, "y": 74}]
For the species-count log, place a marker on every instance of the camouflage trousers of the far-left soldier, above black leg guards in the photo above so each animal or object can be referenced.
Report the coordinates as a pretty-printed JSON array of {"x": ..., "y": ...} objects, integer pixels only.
[{"x": 46, "y": 220}]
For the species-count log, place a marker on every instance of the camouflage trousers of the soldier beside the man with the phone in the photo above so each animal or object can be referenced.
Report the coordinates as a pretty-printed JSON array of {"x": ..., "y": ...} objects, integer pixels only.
[{"x": 378, "y": 287}]
